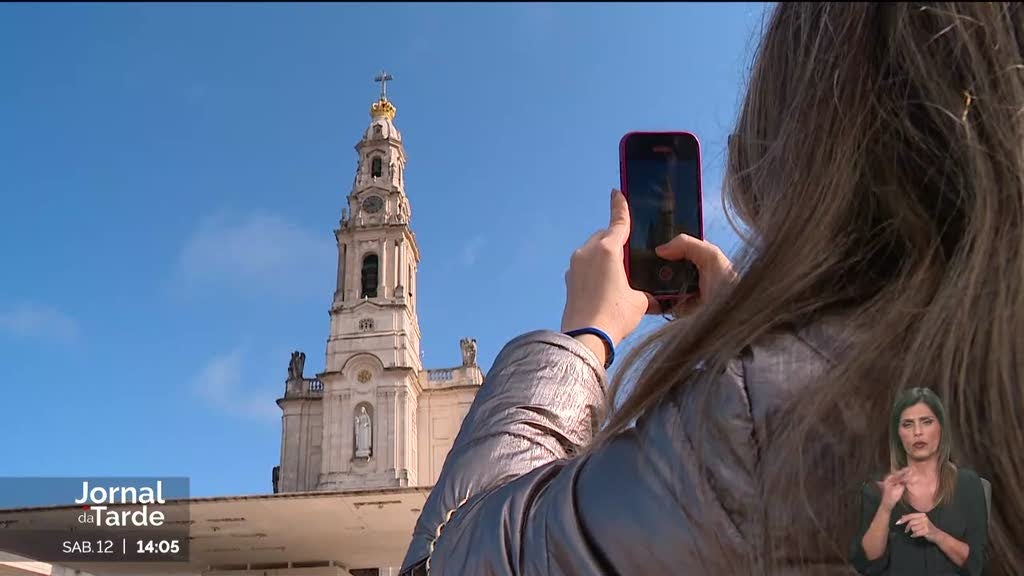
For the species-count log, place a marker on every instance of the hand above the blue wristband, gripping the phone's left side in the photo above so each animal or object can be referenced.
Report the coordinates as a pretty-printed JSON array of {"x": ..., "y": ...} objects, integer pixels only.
[{"x": 598, "y": 292}]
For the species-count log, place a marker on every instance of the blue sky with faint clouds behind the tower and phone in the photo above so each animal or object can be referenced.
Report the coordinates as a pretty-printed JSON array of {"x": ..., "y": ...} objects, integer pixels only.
[{"x": 172, "y": 177}]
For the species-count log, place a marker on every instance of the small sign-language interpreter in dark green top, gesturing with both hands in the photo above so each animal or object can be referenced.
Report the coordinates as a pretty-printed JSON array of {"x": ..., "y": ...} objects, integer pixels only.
[{"x": 927, "y": 516}]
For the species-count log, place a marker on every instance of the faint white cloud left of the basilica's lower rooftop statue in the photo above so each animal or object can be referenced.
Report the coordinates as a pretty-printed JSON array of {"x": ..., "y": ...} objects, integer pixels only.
[{"x": 223, "y": 385}]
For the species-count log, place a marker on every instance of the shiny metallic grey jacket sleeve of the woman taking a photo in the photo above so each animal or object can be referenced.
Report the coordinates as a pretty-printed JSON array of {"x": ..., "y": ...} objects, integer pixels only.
[{"x": 515, "y": 499}]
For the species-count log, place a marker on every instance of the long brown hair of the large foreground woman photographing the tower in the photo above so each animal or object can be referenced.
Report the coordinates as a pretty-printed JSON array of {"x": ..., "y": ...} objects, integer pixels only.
[{"x": 877, "y": 169}]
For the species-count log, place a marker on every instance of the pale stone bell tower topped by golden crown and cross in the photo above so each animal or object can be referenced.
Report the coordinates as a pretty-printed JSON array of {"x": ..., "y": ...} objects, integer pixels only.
[{"x": 373, "y": 353}]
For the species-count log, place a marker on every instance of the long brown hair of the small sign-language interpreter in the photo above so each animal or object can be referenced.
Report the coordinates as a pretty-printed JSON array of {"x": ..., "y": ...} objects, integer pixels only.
[{"x": 898, "y": 452}]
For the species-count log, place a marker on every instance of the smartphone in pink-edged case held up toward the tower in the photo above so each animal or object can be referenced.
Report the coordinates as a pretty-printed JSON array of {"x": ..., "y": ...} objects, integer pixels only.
[{"x": 660, "y": 176}]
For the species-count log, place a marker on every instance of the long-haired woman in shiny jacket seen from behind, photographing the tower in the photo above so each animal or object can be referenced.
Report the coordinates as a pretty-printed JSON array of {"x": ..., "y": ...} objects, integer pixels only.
[{"x": 877, "y": 167}]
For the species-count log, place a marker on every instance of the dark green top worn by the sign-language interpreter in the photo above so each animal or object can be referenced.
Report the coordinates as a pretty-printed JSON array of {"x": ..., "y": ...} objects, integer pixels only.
[{"x": 964, "y": 518}]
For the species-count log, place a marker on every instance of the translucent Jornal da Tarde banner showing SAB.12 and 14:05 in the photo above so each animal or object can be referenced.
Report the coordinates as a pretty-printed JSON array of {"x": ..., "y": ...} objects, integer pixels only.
[{"x": 66, "y": 520}]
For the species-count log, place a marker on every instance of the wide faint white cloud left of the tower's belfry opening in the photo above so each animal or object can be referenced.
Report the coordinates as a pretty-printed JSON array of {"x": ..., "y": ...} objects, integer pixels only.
[{"x": 257, "y": 252}]
